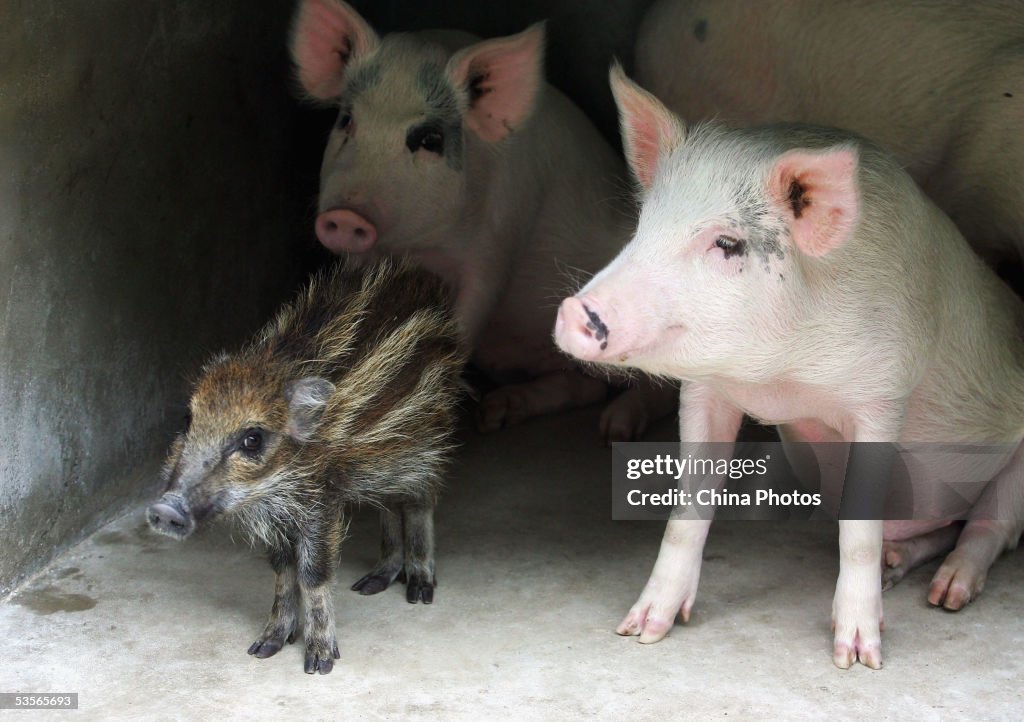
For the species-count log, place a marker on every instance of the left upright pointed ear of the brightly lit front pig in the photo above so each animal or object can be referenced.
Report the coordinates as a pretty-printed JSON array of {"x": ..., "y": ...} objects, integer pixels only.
[{"x": 649, "y": 129}]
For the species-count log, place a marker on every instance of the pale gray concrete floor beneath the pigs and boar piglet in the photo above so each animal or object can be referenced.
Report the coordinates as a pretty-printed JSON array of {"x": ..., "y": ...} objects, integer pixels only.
[{"x": 534, "y": 578}]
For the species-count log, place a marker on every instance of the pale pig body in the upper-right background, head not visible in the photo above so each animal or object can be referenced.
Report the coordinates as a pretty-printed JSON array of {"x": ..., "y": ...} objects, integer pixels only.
[{"x": 941, "y": 84}]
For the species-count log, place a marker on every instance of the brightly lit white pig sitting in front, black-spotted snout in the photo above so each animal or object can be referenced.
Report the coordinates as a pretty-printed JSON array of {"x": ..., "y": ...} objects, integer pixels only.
[{"x": 798, "y": 275}]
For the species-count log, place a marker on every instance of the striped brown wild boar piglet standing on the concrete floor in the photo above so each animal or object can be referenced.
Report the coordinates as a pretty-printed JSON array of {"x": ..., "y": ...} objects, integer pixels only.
[{"x": 349, "y": 397}]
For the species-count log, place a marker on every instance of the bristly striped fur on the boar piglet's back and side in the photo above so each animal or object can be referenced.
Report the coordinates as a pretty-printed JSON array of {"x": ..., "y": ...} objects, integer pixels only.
[{"x": 387, "y": 339}]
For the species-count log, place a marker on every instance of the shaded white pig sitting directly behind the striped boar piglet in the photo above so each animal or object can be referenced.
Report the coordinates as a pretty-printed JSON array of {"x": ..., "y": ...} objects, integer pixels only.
[{"x": 456, "y": 153}]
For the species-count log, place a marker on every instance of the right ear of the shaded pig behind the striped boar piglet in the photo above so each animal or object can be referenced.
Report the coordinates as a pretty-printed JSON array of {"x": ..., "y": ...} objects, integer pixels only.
[{"x": 503, "y": 77}]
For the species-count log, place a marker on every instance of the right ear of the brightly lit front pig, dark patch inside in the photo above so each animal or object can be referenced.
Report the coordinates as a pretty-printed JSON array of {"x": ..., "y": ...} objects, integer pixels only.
[{"x": 818, "y": 192}]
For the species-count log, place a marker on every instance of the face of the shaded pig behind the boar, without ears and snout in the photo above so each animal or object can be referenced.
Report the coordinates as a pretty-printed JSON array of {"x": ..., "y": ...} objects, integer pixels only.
[{"x": 400, "y": 162}]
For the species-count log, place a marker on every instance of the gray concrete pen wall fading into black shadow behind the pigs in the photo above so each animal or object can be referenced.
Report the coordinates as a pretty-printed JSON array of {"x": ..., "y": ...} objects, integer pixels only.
[{"x": 157, "y": 185}]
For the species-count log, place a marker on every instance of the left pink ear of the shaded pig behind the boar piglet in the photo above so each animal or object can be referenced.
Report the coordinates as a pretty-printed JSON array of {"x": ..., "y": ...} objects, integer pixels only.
[{"x": 327, "y": 36}]
